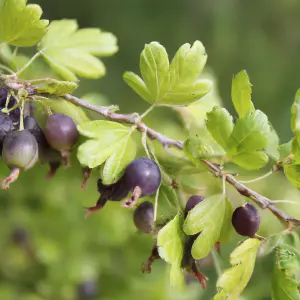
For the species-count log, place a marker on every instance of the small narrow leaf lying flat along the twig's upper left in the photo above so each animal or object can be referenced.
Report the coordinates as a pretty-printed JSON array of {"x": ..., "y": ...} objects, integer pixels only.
[{"x": 54, "y": 87}]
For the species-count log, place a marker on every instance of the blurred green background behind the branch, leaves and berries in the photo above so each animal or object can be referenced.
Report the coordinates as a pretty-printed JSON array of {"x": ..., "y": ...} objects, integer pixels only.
[{"x": 48, "y": 251}]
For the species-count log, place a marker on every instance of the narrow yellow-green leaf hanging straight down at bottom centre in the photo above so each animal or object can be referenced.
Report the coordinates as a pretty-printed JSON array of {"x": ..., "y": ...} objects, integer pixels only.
[{"x": 170, "y": 242}]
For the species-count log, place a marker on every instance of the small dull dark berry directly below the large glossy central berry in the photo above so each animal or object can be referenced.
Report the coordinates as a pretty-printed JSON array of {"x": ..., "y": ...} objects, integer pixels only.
[{"x": 143, "y": 217}]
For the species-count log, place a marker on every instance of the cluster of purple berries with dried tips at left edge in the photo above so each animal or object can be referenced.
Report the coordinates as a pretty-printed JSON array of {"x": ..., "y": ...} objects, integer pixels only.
[{"x": 23, "y": 142}]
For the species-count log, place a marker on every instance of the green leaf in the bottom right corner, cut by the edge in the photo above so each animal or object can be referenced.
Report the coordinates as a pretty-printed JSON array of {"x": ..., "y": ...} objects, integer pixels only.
[{"x": 284, "y": 284}]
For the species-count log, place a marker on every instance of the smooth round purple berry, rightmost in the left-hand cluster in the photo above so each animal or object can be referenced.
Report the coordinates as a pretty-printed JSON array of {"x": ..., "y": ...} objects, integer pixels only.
[{"x": 61, "y": 132}]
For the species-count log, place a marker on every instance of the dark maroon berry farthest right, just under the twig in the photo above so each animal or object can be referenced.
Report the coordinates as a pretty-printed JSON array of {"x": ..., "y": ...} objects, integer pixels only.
[{"x": 246, "y": 220}]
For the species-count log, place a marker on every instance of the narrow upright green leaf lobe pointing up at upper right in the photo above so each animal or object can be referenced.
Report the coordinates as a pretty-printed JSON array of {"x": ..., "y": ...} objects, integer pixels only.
[{"x": 241, "y": 94}]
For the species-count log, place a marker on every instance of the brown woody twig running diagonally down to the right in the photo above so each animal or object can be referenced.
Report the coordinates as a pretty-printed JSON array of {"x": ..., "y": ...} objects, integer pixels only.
[{"x": 260, "y": 200}]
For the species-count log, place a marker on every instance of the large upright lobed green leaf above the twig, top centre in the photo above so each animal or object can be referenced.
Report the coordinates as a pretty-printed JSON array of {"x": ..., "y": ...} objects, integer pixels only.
[{"x": 177, "y": 84}]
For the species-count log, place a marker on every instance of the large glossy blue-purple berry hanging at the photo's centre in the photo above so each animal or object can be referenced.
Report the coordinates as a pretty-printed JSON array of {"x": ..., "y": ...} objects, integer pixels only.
[{"x": 143, "y": 173}]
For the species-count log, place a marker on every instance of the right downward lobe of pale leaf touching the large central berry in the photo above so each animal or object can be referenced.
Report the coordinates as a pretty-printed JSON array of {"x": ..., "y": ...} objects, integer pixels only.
[{"x": 123, "y": 154}]
